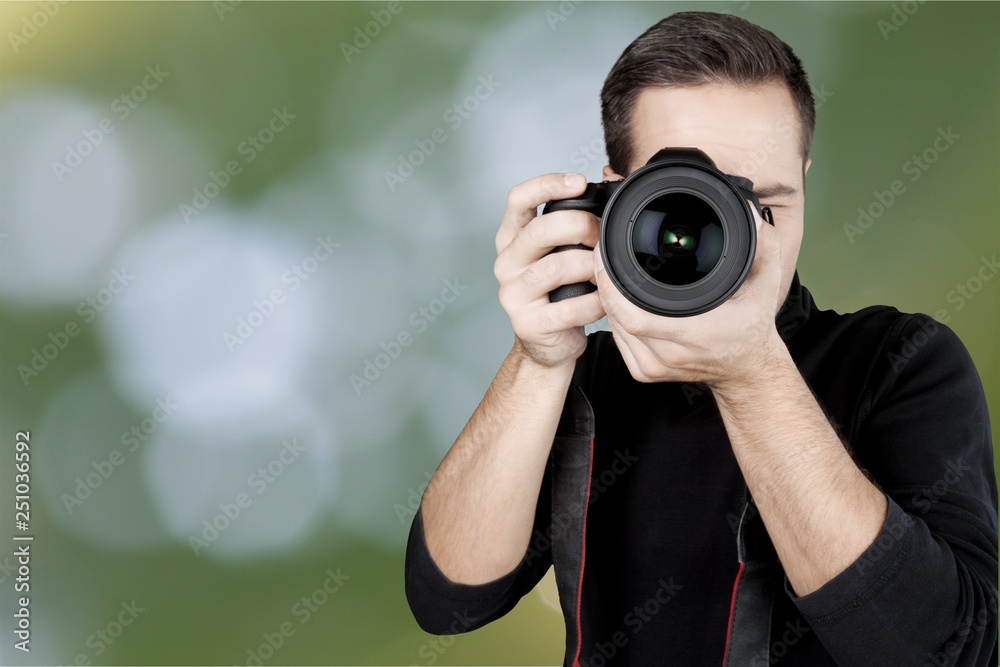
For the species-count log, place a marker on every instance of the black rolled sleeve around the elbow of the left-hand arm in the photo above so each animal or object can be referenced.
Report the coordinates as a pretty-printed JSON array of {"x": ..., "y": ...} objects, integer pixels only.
[{"x": 444, "y": 607}]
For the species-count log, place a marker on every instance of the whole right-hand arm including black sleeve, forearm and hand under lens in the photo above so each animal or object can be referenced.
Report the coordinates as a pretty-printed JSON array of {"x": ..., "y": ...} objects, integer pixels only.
[{"x": 908, "y": 576}]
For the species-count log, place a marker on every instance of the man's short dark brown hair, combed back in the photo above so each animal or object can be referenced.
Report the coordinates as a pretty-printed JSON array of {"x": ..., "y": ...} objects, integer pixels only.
[{"x": 696, "y": 48}]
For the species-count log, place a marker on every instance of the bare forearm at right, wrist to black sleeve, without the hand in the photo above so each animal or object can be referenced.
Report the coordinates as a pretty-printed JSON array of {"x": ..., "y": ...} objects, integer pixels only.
[{"x": 819, "y": 508}]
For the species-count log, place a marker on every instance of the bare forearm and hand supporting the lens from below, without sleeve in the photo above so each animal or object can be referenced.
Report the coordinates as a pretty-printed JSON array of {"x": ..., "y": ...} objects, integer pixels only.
[{"x": 819, "y": 509}]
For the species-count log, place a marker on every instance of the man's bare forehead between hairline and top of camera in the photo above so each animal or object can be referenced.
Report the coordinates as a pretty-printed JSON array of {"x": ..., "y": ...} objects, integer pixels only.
[{"x": 747, "y": 131}]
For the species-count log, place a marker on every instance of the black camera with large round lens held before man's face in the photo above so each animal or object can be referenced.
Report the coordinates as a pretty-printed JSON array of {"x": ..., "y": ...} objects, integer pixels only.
[{"x": 677, "y": 237}]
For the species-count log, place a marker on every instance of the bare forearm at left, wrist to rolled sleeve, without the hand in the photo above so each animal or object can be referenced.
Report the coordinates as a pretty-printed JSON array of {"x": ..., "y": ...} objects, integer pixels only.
[{"x": 479, "y": 507}]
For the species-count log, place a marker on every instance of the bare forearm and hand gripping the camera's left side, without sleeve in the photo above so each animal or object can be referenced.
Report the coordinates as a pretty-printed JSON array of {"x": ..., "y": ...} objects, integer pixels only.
[{"x": 479, "y": 506}]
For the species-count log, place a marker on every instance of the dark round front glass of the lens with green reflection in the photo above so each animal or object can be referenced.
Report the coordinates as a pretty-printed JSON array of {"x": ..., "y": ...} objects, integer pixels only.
[{"x": 678, "y": 239}]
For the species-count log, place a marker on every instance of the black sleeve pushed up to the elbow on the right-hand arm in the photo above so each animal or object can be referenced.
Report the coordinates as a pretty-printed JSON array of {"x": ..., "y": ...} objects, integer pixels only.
[{"x": 925, "y": 591}]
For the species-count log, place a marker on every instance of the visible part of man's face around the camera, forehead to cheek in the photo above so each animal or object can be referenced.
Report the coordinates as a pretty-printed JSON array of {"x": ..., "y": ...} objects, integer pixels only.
[{"x": 750, "y": 132}]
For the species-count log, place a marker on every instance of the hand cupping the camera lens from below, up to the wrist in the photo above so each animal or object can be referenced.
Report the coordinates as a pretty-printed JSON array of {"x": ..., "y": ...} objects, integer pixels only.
[{"x": 731, "y": 343}]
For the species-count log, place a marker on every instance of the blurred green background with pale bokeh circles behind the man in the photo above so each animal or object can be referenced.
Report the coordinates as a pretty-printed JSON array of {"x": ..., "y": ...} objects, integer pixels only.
[{"x": 354, "y": 258}]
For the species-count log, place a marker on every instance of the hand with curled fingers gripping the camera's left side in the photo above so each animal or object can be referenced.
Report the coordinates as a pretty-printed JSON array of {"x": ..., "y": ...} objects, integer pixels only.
[{"x": 550, "y": 334}]
